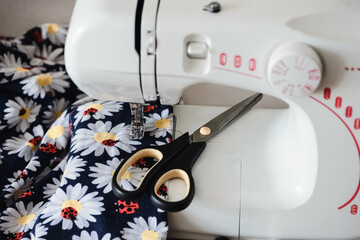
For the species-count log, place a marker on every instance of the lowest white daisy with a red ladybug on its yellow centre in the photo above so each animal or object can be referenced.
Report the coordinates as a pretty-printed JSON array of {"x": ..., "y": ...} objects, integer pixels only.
[{"x": 75, "y": 206}]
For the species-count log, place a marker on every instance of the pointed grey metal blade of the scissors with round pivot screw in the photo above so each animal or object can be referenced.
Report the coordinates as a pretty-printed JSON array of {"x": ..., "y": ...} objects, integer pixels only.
[{"x": 215, "y": 125}]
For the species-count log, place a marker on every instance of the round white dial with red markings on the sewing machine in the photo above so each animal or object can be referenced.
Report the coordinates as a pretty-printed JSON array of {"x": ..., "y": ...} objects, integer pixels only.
[{"x": 294, "y": 70}]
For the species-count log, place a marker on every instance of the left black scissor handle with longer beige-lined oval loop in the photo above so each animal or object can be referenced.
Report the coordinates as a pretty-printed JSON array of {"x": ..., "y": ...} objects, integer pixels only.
[{"x": 162, "y": 153}]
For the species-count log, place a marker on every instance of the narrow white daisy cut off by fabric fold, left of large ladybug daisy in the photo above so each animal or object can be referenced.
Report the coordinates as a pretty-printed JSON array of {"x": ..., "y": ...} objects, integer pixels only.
[{"x": 59, "y": 132}]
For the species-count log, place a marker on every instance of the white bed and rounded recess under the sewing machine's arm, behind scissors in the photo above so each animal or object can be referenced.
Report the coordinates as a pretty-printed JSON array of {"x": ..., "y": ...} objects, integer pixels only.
[{"x": 257, "y": 162}]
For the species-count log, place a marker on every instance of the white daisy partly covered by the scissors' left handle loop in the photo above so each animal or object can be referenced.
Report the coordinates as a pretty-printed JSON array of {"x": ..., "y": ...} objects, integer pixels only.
[{"x": 103, "y": 174}]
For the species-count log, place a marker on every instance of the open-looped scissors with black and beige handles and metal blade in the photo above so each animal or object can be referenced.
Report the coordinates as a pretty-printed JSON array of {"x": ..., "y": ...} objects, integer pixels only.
[{"x": 175, "y": 160}]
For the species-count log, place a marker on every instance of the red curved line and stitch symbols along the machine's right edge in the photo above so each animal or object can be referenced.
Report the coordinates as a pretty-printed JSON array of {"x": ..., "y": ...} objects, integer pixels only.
[{"x": 348, "y": 113}]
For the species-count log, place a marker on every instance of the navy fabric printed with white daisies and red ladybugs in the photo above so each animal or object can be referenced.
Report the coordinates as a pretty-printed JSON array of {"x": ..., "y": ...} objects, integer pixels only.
[{"x": 60, "y": 148}]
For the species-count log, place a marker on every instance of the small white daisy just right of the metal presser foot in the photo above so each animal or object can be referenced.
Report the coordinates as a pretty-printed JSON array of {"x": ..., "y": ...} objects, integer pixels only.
[{"x": 159, "y": 125}]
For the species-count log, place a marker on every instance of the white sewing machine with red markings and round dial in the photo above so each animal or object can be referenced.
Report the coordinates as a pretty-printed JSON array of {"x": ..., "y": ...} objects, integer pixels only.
[{"x": 289, "y": 173}]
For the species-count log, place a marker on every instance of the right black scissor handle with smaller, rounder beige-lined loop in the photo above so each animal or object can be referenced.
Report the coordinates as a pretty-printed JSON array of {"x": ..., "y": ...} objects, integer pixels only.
[{"x": 179, "y": 168}]
